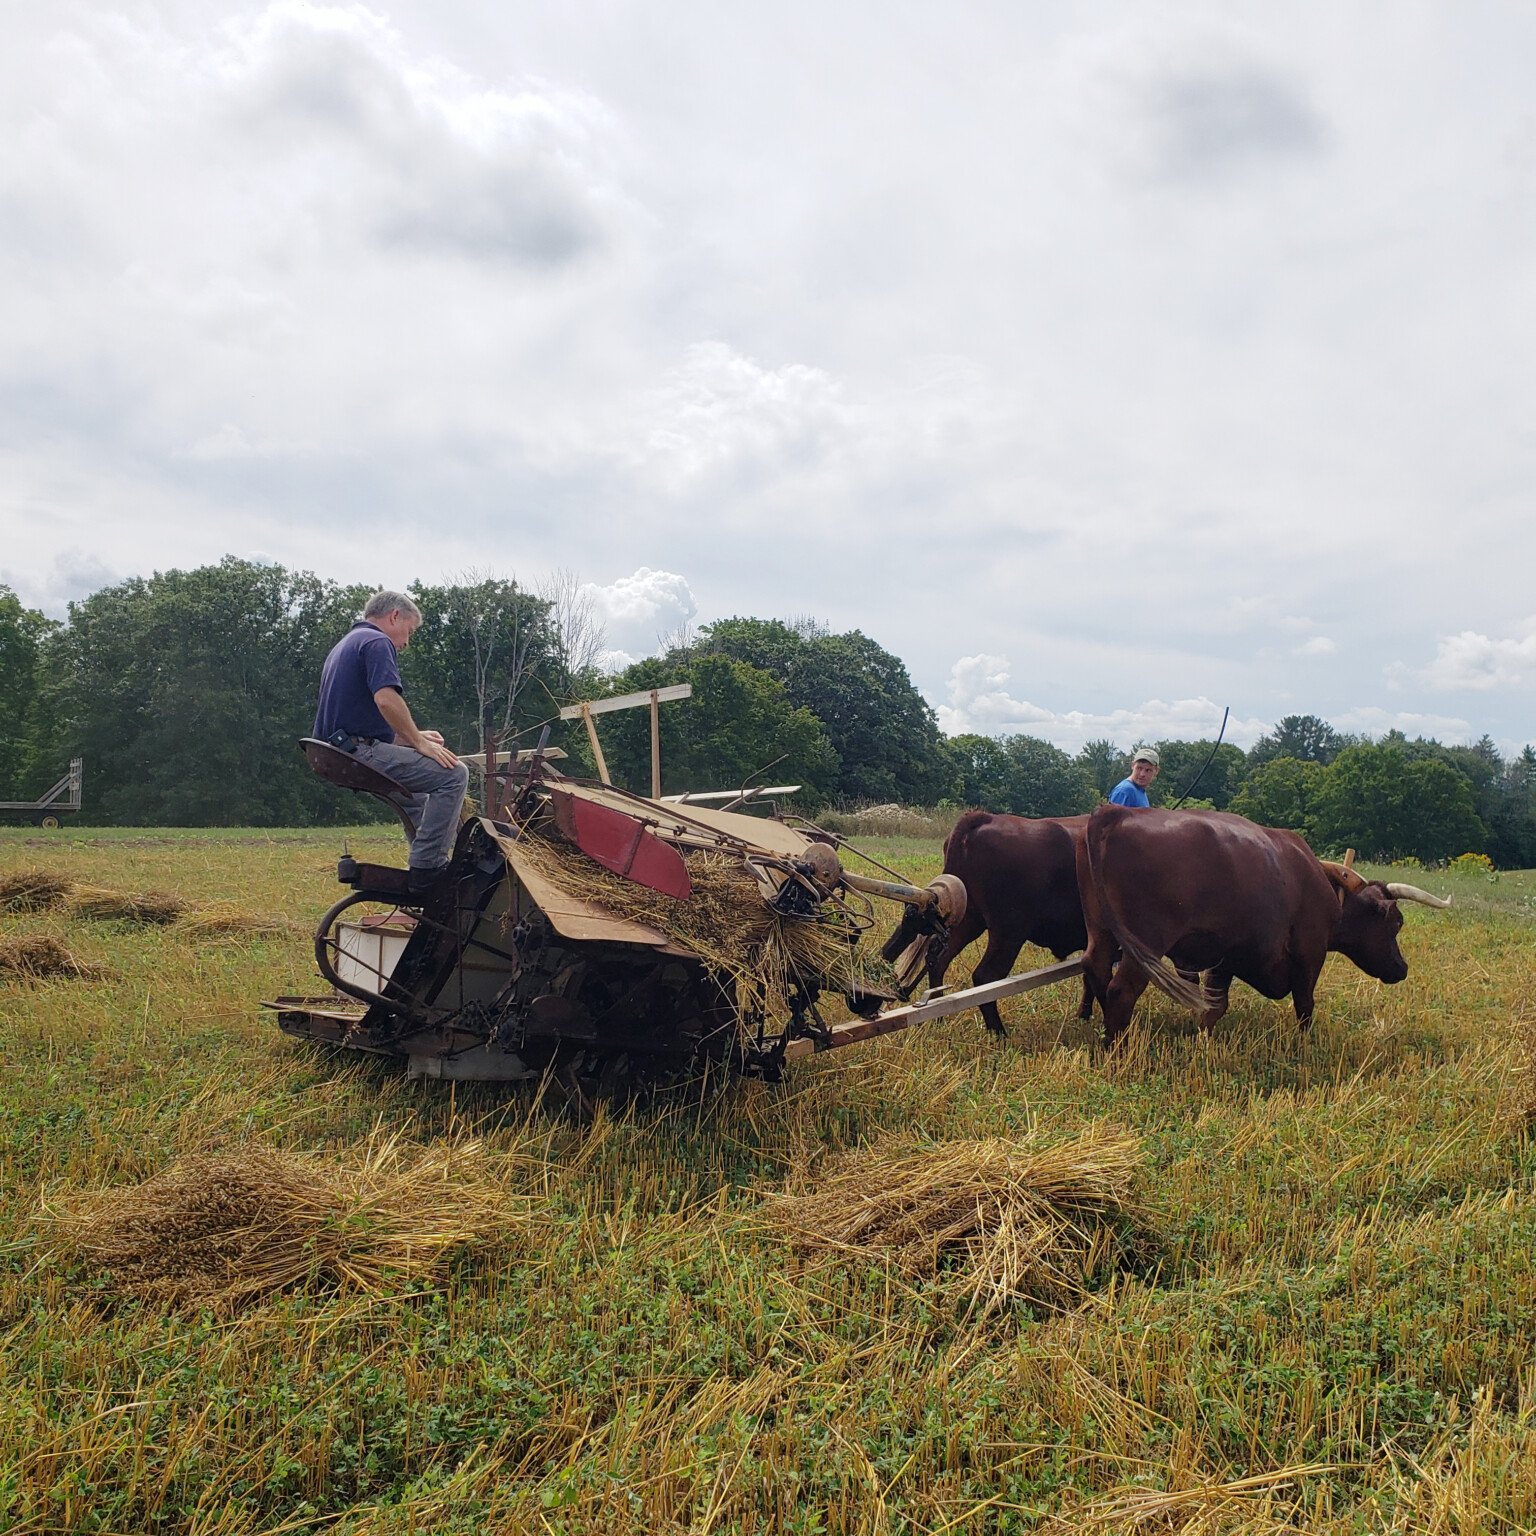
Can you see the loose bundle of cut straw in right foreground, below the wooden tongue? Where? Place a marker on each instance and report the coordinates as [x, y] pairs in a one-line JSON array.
[[1010, 1220]]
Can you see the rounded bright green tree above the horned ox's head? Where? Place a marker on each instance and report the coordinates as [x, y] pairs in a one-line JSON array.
[[1391, 804]]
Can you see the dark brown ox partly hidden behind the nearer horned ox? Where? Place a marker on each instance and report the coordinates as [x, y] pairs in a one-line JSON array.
[[1021, 879]]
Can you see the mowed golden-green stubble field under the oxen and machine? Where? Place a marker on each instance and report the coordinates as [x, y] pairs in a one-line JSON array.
[[1329, 1329]]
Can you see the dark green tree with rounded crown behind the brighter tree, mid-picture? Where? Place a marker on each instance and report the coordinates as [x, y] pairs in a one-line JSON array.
[[886, 735]]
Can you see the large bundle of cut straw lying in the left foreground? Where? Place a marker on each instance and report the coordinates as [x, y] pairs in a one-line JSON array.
[[223, 1230]]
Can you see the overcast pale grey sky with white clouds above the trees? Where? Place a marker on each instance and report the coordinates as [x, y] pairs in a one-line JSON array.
[[1108, 363]]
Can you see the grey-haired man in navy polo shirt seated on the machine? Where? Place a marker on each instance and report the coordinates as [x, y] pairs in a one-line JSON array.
[[363, 710]]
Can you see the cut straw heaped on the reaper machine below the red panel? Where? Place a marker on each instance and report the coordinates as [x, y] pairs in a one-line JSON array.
[[726, 922]]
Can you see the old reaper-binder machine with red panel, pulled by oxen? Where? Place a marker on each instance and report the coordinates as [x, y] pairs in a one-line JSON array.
[[601, 938]]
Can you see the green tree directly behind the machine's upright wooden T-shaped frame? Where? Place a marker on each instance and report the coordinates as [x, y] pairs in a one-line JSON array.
[[738, 726]]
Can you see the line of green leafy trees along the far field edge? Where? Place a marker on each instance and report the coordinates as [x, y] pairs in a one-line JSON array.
[[187, 694]]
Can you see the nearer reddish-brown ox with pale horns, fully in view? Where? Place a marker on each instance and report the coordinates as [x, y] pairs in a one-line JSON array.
[[1216, 893]]
